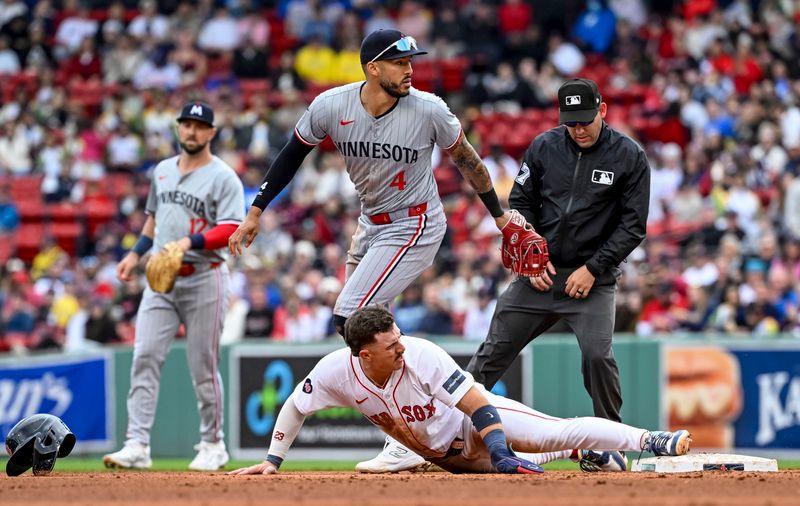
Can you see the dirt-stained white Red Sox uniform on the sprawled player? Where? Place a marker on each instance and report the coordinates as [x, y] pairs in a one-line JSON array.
[[416, 406]]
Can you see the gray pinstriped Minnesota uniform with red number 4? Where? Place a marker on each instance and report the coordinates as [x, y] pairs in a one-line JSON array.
[[388, 159]]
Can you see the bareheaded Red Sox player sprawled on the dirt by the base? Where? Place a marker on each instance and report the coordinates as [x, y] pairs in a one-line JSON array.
[[416, 393]]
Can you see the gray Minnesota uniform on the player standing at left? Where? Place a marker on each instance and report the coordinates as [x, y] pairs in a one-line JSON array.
[[184, 205]]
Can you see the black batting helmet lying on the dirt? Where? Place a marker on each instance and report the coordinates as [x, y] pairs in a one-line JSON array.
[[35, 442]]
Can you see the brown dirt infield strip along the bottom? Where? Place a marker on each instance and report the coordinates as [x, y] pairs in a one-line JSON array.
[[434, 489]]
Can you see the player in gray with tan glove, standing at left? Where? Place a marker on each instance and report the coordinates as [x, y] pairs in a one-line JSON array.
[[198, 200]]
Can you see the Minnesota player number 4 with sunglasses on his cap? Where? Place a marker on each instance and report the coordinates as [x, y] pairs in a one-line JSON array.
[[386, 131]]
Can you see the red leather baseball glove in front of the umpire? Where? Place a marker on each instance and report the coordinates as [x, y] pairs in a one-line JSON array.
[[524, 251]]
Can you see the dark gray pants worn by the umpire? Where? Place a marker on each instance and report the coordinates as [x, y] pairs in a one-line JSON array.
[[523, 313]]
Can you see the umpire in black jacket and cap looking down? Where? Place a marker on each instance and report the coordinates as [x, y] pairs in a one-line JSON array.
[[585, 187]]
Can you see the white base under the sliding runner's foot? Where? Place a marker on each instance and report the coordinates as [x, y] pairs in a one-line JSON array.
[[704, 462]]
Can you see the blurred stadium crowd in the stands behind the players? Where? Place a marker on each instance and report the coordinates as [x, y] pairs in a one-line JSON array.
[[89, 93]]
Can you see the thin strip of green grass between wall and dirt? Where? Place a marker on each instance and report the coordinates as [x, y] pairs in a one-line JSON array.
[[84, 464]]
